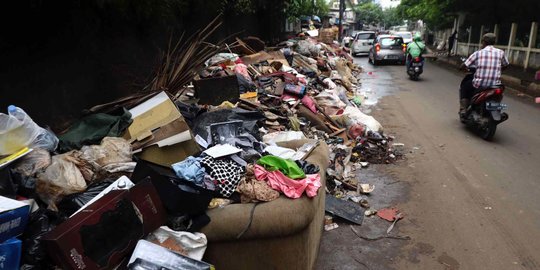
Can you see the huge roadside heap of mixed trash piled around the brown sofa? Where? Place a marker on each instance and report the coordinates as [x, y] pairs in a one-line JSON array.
[[153, 163]]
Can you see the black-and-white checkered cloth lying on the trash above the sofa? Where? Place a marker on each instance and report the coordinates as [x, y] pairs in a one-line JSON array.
[[226, 172]]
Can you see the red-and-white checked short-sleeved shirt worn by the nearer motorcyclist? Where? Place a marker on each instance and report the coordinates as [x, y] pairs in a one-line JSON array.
[[488, 62]]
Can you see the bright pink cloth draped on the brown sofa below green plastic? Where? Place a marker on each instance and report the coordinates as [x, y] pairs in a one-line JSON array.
[[291, 188]]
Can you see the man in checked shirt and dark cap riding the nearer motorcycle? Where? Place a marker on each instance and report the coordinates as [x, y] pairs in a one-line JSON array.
[[489, 62]]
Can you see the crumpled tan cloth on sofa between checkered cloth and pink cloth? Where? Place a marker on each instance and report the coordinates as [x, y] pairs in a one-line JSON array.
[[252, 190]]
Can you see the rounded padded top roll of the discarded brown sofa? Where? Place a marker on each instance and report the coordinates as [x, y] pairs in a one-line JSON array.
[[280, 217]]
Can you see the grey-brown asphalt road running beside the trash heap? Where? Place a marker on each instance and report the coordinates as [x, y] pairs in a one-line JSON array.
[[471, 204]]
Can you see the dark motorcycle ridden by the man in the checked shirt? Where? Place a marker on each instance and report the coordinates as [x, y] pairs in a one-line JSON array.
[[485, 111]]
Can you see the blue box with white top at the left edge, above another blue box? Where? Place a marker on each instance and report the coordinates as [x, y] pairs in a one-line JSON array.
[[13, 218]]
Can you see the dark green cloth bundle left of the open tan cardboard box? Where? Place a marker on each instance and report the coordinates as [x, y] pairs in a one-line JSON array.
[[93, 128]]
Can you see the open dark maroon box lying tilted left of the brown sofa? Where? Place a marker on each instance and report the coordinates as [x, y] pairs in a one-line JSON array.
[[100, 236]]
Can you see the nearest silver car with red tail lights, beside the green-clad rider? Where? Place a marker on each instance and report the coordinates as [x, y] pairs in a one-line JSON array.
[[387, 48]]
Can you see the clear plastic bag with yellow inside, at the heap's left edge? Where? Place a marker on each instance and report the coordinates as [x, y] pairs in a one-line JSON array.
[[18, 130]]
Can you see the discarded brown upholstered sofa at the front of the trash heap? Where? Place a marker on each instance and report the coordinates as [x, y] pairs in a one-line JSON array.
[[284, 233]]
